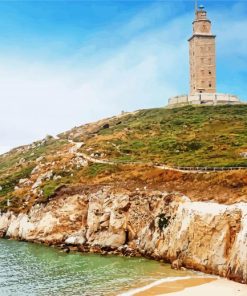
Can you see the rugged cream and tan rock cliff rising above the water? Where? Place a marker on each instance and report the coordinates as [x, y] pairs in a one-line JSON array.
[[203, 236]]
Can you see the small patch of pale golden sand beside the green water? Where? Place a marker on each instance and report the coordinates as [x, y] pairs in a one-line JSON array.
[[193, 287]]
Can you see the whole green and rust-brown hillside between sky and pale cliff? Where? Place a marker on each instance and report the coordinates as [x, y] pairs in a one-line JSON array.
[[133, 143]]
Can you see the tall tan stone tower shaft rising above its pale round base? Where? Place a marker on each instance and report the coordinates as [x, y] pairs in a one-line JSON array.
[[202, 55]]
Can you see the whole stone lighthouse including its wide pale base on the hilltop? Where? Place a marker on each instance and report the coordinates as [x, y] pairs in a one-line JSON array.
[[202, 60]]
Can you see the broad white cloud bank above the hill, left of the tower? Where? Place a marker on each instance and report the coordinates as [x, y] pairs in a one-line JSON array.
[[38, 99]]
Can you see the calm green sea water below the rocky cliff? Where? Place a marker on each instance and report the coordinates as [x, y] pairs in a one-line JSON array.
[[30, 269]]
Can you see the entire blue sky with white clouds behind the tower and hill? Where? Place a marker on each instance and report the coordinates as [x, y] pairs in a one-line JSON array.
[[65, 63]]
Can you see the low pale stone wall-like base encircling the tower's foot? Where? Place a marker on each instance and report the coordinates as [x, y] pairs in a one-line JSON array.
[[206, 99]]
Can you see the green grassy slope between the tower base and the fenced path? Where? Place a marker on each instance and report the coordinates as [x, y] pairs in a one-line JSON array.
[[188, 136]]
